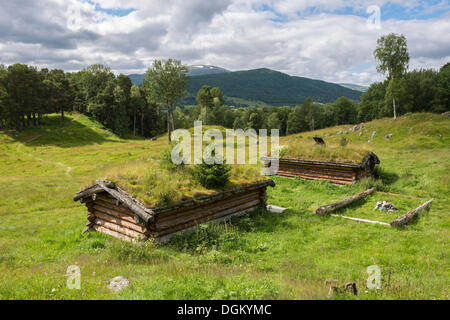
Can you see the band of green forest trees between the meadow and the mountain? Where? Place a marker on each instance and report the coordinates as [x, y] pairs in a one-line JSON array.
[[26, 94]]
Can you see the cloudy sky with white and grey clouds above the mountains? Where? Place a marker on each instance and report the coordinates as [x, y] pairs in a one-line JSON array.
[[318, 39]]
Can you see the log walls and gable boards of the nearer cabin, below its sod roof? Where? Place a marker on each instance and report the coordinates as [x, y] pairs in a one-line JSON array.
[[115, 212]]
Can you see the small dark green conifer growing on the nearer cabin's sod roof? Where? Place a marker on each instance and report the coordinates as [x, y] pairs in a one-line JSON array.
[[212, 176]]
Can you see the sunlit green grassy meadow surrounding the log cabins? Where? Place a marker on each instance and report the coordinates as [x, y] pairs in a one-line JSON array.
[[261, 255]]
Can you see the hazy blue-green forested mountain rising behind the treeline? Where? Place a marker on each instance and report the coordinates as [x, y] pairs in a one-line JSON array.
[[261, 87]]
